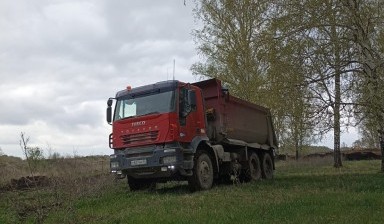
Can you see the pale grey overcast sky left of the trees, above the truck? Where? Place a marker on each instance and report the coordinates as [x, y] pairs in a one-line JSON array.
[[60, 60]]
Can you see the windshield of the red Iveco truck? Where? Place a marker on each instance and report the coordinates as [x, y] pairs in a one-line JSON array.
[[143, 105]]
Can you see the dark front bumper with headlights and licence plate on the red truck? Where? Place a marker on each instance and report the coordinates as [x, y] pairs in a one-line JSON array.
[[151, 162]]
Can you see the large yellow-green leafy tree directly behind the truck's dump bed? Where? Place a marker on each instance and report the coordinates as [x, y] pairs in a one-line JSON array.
[[235, 42]]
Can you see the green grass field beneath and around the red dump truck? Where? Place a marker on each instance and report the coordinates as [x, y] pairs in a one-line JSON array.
[[309, 191]]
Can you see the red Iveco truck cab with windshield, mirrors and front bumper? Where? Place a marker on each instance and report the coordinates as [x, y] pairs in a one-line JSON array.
[[152, 127]]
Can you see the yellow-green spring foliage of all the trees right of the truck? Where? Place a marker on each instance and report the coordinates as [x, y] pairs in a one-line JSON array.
[[312, 62]]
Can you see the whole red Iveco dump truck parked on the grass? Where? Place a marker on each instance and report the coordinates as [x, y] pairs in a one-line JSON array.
[[197, 132]]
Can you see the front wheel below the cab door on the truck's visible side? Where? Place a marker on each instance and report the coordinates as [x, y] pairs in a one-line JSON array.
[[202, 177]]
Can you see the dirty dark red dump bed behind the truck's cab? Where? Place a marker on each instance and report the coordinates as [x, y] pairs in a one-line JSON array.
[[230, 118]]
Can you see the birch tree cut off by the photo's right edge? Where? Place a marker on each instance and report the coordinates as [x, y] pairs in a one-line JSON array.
[[366, 23]]
